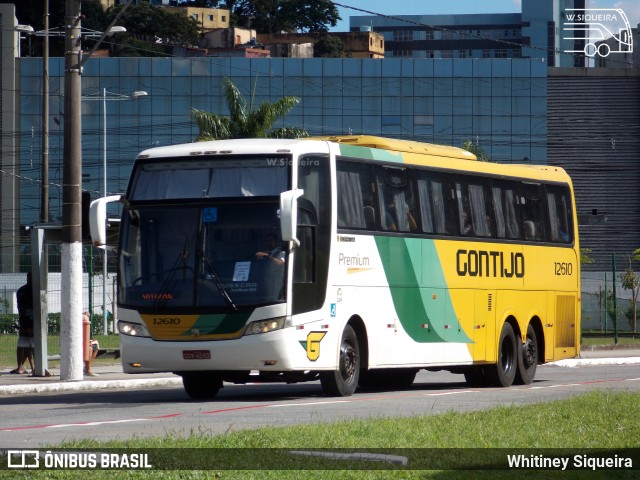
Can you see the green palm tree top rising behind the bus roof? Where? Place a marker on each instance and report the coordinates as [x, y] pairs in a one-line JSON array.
[[245, 122]]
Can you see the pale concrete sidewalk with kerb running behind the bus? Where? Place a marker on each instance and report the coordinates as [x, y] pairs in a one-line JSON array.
[[111, 376]]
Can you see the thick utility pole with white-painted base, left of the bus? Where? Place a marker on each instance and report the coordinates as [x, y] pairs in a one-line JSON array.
[[71, 362]]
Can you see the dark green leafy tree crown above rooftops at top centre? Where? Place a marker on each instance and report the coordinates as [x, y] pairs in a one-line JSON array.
[[274, 16]]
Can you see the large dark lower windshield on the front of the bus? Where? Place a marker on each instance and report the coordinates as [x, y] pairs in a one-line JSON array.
[[225, 256]]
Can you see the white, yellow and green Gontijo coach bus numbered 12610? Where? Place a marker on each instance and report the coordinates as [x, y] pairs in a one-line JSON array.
[[353, 260]]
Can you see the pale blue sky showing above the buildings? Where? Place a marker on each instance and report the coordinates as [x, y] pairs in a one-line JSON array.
[[433, 7]]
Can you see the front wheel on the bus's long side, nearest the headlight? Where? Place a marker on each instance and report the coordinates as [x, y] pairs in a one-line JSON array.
[[343, 382]]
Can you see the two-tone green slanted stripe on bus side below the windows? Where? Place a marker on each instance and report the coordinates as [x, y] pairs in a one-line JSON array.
[[422, 316]]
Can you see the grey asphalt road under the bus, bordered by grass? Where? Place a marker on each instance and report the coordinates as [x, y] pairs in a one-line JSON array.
[[29, 420]]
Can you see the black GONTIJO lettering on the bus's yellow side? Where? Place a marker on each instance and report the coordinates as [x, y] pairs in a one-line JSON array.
[[483, 263]]
